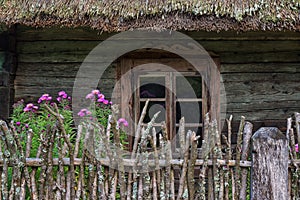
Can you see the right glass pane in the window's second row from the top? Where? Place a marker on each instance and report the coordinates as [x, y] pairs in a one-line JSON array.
[[192, 112]]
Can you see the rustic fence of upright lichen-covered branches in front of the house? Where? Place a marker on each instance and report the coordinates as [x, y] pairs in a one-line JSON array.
[[95, 166]]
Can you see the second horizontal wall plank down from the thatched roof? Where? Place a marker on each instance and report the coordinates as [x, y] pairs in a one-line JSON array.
[[215, 46]]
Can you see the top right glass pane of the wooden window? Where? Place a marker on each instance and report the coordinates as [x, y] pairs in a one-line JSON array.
[[188, 87]]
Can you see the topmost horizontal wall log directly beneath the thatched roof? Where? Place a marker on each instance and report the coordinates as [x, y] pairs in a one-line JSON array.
[[32, 34]]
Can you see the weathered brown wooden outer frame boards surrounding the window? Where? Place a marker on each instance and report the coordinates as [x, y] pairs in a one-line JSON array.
[[210, 89]]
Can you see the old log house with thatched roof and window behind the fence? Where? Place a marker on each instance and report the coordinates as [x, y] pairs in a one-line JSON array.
[[255, 44]]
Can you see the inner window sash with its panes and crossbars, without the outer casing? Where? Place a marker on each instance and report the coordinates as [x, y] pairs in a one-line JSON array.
[[175, 95]]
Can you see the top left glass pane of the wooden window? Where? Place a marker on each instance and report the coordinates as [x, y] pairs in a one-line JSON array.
[[152, 87]]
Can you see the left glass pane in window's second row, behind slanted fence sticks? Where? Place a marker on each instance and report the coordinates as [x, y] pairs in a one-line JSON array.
[[154, 107]]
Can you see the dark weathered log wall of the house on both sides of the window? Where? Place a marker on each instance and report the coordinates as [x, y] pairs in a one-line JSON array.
[[260, 71]]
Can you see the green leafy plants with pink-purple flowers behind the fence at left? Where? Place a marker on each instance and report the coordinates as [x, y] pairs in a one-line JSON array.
[[38, 119]]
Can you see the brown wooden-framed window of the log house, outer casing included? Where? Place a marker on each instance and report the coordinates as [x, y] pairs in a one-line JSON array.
[[172, 86]]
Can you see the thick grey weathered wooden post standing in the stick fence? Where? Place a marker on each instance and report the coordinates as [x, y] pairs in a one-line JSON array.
[[270, 165]]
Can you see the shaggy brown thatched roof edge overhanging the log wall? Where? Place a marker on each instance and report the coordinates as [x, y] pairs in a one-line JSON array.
[[118, 15]]
